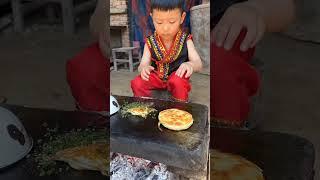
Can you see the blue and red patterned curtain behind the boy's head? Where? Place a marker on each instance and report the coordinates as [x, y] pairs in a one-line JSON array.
[[141, 22]]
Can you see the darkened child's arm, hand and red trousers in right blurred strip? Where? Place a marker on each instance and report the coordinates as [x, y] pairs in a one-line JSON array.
[[237, 27]]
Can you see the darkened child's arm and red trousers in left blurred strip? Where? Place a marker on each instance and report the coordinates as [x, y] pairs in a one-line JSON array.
[[88, 72]]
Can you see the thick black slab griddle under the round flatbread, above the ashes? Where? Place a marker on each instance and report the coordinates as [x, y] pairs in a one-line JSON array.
[[139, 137]]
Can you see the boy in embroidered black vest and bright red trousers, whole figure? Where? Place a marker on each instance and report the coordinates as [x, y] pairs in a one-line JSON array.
[[169, 56]]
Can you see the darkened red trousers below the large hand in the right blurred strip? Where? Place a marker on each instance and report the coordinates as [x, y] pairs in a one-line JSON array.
[[233, 82]]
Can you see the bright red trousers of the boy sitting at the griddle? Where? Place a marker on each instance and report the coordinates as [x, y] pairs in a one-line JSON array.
[[178, 87]]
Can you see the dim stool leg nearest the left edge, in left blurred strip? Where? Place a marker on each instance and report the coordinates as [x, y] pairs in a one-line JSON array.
[[17, 12]]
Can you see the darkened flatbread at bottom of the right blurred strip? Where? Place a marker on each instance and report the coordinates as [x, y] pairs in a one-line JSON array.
[[232, 167]]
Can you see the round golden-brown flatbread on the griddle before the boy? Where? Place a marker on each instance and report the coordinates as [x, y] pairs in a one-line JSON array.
[[175, 119]]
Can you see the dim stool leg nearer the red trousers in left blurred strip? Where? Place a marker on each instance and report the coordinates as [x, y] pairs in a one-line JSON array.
[[68, 16]]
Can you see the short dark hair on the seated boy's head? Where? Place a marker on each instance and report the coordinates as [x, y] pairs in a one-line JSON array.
[[167, 5]]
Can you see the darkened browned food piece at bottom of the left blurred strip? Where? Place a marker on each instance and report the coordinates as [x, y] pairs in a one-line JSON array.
[[91, 157]]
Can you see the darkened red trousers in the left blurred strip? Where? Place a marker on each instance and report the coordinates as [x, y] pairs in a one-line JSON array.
[[88, 78]]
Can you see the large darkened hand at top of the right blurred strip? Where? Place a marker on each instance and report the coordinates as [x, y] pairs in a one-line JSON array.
[[237, 17]]
